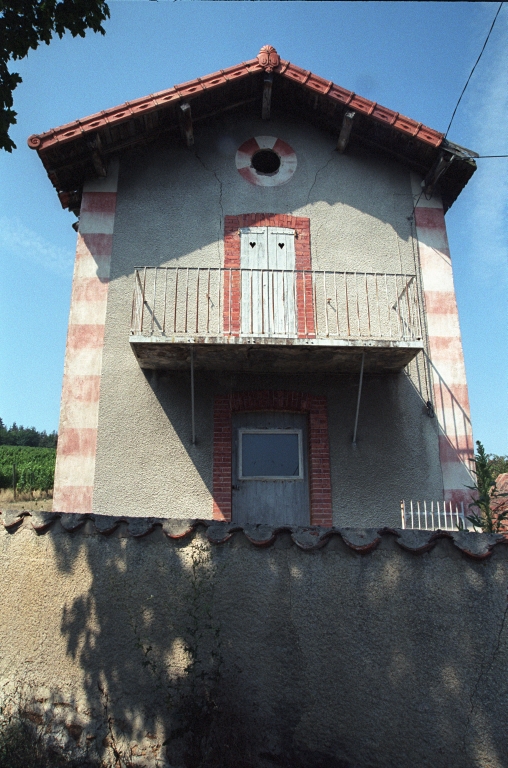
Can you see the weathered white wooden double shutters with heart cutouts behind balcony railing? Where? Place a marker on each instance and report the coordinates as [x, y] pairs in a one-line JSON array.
[[267, 260]]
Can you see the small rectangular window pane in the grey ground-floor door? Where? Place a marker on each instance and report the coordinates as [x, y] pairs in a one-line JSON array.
[[271, 454]]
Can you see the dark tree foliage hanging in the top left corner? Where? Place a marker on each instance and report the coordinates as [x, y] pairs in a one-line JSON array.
[[24, 24]]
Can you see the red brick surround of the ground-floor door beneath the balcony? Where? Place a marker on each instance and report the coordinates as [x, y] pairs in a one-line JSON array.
[[270, 400]]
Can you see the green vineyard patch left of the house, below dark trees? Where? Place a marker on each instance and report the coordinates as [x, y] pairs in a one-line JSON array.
[[35, 467]]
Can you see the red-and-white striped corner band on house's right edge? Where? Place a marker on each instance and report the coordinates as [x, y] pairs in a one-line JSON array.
[[451, 401]]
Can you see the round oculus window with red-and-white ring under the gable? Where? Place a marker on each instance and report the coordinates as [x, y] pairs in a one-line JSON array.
[[266, 161]]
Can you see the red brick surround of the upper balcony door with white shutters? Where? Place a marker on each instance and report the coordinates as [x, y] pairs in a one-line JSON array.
[[232, 280]]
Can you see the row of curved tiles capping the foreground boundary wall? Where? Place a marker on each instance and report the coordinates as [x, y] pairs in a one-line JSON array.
[[310, 538]]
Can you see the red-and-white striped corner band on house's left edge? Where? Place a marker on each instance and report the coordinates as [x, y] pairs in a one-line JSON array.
[[79, 410]]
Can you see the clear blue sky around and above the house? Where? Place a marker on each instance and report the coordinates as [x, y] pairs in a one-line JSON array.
[[411, 57]]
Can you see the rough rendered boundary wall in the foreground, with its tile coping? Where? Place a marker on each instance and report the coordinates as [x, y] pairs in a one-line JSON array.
[[342, 648]]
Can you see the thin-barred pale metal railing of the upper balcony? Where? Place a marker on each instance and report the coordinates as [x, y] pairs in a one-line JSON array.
[[320, 304]]
